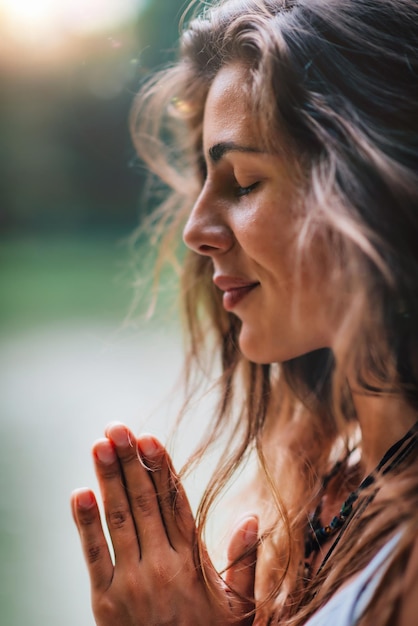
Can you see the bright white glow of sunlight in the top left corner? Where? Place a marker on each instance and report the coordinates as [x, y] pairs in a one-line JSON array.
[[51, 19]]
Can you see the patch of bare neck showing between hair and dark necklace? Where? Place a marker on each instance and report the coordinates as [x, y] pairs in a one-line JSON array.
[[383, 420]]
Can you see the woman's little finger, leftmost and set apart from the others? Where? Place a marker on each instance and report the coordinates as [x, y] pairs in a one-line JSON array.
[[93, 542]]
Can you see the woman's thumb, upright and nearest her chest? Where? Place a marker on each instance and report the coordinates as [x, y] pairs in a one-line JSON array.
[[242, 558]]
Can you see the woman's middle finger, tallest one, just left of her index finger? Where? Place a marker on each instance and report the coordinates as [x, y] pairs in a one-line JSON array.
[[139, 489]]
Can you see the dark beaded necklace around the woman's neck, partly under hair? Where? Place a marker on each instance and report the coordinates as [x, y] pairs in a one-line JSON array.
[[317, 534]]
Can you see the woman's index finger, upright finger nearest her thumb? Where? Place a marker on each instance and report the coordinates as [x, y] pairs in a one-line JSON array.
[[175, 508]]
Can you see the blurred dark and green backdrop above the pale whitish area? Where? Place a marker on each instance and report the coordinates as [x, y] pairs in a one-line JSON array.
[[71, 185]]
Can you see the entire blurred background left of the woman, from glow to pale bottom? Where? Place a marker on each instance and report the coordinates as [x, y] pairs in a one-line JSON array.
[[72, 357]]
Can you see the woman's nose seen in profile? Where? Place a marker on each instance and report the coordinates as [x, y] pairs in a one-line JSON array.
[[206, 232]]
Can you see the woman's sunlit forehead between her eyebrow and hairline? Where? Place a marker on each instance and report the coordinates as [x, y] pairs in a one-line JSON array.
[[227, 115]]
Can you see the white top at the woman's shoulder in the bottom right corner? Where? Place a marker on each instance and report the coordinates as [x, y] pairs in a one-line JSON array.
[[347, 605]]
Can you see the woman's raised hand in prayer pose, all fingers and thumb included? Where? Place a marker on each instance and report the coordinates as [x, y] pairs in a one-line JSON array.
[[156, 578]]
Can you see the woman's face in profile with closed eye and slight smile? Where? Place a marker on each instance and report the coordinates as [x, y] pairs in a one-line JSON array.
[[247, 219]]
